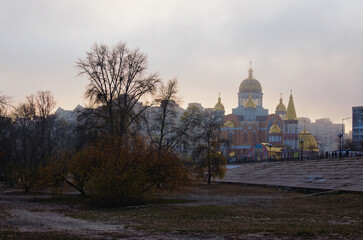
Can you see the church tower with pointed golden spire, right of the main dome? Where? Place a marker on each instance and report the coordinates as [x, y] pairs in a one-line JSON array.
[[291, 136]]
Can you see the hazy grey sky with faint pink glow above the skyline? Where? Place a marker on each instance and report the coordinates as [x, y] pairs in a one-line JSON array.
[[314, 48]]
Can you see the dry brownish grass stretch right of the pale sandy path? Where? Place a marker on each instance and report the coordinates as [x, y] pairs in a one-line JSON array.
[[252, 210]]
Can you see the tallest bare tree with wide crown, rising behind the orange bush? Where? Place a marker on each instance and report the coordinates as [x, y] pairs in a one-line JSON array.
[[117, 82]]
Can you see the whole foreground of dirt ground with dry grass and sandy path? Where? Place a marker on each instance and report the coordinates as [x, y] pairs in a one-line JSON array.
[[219, 211]]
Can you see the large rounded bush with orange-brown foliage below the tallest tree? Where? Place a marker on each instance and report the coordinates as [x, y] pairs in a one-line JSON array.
[[117, 172]]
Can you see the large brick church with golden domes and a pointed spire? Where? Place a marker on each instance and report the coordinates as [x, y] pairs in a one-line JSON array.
[[251, 132]]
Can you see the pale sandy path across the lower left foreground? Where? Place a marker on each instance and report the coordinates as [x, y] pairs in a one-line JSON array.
[[28, 216]]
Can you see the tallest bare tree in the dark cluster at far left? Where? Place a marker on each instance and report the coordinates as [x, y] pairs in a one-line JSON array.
[[35, 136]]
